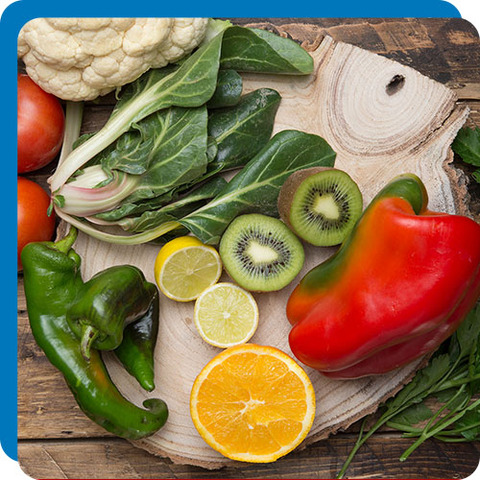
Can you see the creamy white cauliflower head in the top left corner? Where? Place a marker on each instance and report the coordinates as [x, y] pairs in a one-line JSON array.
[[82, 58]]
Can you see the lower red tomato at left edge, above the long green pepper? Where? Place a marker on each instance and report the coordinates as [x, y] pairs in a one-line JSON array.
[[33, 223]]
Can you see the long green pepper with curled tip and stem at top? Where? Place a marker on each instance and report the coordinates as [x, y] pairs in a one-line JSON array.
[[52, 279]]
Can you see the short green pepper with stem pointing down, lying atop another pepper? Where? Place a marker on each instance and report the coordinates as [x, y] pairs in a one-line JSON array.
[[108, 302]]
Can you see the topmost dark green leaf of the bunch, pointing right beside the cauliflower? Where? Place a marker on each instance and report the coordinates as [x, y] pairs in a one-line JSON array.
[[254, 50]]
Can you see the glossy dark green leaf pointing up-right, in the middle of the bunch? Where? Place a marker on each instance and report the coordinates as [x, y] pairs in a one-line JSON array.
[[241, 131]]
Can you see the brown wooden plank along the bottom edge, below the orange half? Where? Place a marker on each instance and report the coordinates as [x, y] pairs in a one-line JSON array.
[[116, 458]]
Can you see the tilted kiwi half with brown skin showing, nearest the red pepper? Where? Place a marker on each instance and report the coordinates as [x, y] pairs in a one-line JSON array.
[[321, 205]]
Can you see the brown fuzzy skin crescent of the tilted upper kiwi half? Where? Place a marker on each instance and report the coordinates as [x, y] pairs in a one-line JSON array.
[[287, 194]]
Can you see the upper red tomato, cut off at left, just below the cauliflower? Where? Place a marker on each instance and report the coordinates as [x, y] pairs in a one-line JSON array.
[[41, 122]]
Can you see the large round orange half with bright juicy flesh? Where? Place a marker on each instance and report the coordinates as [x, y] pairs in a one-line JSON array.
[[253, 403]]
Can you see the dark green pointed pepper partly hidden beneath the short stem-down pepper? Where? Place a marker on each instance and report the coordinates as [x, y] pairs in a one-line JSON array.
[[136, 352]]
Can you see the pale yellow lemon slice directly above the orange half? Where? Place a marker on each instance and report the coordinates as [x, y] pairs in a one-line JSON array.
[[226, 315]]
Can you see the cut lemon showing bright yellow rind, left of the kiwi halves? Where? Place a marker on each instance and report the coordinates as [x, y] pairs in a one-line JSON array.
[[185, 267]]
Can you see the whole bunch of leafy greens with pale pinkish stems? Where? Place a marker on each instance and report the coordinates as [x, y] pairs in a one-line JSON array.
[[164, 138]]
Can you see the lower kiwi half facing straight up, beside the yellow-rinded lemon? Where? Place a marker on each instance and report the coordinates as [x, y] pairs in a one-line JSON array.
[[261, 253]]
